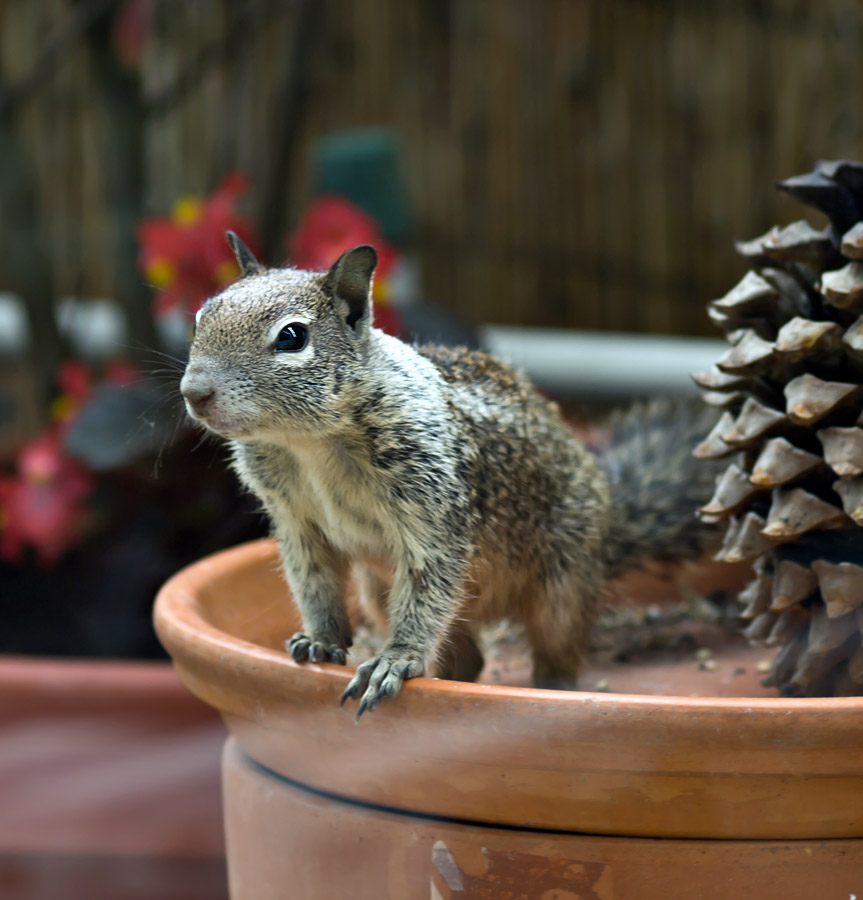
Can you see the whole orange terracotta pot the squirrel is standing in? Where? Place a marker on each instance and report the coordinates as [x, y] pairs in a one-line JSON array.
[[474, 790]]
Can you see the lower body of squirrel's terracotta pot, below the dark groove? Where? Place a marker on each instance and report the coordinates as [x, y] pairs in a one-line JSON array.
[[285, 840]]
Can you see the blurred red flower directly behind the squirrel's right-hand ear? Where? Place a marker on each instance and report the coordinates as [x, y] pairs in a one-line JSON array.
[[331, 225]]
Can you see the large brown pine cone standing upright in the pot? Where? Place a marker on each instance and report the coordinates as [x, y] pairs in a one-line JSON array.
[[791, 385]]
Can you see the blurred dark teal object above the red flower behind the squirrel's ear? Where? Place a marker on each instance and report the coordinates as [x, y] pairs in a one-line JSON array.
[[365, 166]]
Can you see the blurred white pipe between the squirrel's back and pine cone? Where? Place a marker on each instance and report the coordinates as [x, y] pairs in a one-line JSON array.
[[601, 364]]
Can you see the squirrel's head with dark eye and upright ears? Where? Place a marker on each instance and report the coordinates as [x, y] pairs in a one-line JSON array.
[[278, 352]]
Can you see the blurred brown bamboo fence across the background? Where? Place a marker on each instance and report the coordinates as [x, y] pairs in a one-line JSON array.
[[578, 163]]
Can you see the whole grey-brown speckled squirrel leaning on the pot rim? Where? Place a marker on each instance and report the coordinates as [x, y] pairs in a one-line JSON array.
[[450, 489]]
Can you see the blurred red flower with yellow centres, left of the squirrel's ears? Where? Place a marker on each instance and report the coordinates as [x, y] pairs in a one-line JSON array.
[[185, 256]]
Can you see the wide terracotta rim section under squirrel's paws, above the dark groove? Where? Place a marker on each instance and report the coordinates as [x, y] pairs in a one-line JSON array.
[[724, 767]]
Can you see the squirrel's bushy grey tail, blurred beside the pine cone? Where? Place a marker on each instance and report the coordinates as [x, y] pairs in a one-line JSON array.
[[656, 484]]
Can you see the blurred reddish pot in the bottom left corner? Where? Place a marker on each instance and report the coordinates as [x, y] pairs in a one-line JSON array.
[[109, 776]]
